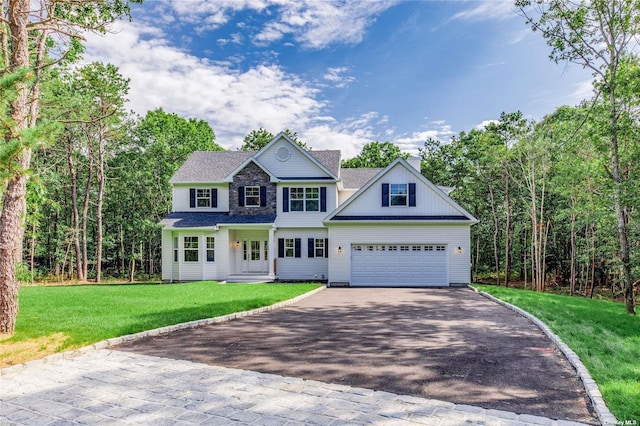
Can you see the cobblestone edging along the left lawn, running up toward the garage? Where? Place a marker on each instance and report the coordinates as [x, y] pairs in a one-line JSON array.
[[104, 344]]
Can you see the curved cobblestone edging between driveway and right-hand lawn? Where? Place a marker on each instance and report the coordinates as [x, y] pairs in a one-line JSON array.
[[603, 413]]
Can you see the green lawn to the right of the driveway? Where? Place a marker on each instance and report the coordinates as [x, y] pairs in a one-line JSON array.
[[600, 332]]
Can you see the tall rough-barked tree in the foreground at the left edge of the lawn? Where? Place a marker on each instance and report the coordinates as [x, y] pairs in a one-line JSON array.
[[29, 30]]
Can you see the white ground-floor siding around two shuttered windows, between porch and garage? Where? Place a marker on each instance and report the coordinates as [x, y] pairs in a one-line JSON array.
[[302, 268]]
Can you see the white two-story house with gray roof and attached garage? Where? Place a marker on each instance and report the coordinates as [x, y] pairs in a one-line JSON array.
[[284, 213]]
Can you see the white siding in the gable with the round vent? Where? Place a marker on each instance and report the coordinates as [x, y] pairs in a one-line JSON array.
[[296, 166]]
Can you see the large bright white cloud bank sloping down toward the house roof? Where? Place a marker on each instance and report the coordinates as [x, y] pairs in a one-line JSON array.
[[233, 102]]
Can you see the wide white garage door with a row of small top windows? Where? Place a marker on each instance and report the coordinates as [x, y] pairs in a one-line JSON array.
[[399, 265]]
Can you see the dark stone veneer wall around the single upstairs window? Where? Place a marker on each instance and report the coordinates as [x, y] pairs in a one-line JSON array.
[[252, 175]]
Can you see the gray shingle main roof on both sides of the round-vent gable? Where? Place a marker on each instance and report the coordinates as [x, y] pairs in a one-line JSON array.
[[214, 166]]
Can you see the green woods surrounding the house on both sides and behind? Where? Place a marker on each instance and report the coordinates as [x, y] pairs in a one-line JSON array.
[[557, 200]]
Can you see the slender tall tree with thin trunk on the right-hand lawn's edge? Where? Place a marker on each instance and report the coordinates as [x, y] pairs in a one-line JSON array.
[[598, 35]]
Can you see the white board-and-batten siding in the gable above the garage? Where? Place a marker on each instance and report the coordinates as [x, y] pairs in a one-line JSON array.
[[428, 201]]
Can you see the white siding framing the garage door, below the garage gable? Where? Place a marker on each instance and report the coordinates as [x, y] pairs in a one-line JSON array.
[[453, 236]]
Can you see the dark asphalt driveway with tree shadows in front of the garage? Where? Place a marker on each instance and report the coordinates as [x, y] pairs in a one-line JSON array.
[[446, 344]]
